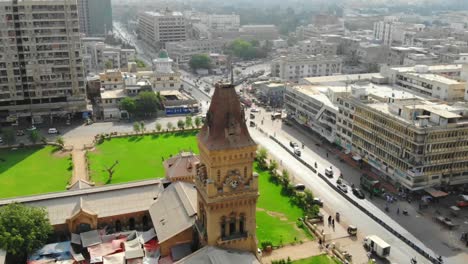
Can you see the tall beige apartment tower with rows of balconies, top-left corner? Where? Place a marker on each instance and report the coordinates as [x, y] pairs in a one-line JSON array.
[[41, 66]]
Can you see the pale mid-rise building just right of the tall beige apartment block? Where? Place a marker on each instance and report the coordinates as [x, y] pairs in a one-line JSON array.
[[99, 56]]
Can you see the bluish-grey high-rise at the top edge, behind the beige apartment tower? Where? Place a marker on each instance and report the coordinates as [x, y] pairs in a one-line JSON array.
[[95, 17]]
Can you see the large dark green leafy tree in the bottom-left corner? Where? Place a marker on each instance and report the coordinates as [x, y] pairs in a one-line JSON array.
[[23, 230]]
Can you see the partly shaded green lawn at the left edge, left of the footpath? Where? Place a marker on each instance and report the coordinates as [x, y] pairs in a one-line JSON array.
[[28, 171]]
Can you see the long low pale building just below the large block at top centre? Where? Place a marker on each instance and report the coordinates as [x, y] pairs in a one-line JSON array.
[[183, 51]]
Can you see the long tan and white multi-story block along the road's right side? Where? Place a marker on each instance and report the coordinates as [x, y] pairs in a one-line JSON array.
[[407, 138]]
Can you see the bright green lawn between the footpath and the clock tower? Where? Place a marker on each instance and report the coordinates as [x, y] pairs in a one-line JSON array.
[[139, 157]]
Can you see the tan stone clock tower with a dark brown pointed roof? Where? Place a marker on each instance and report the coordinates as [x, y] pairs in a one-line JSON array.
[[227, 188]]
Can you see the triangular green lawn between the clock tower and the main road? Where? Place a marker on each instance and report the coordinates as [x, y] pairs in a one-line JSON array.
[[276, 216]]
